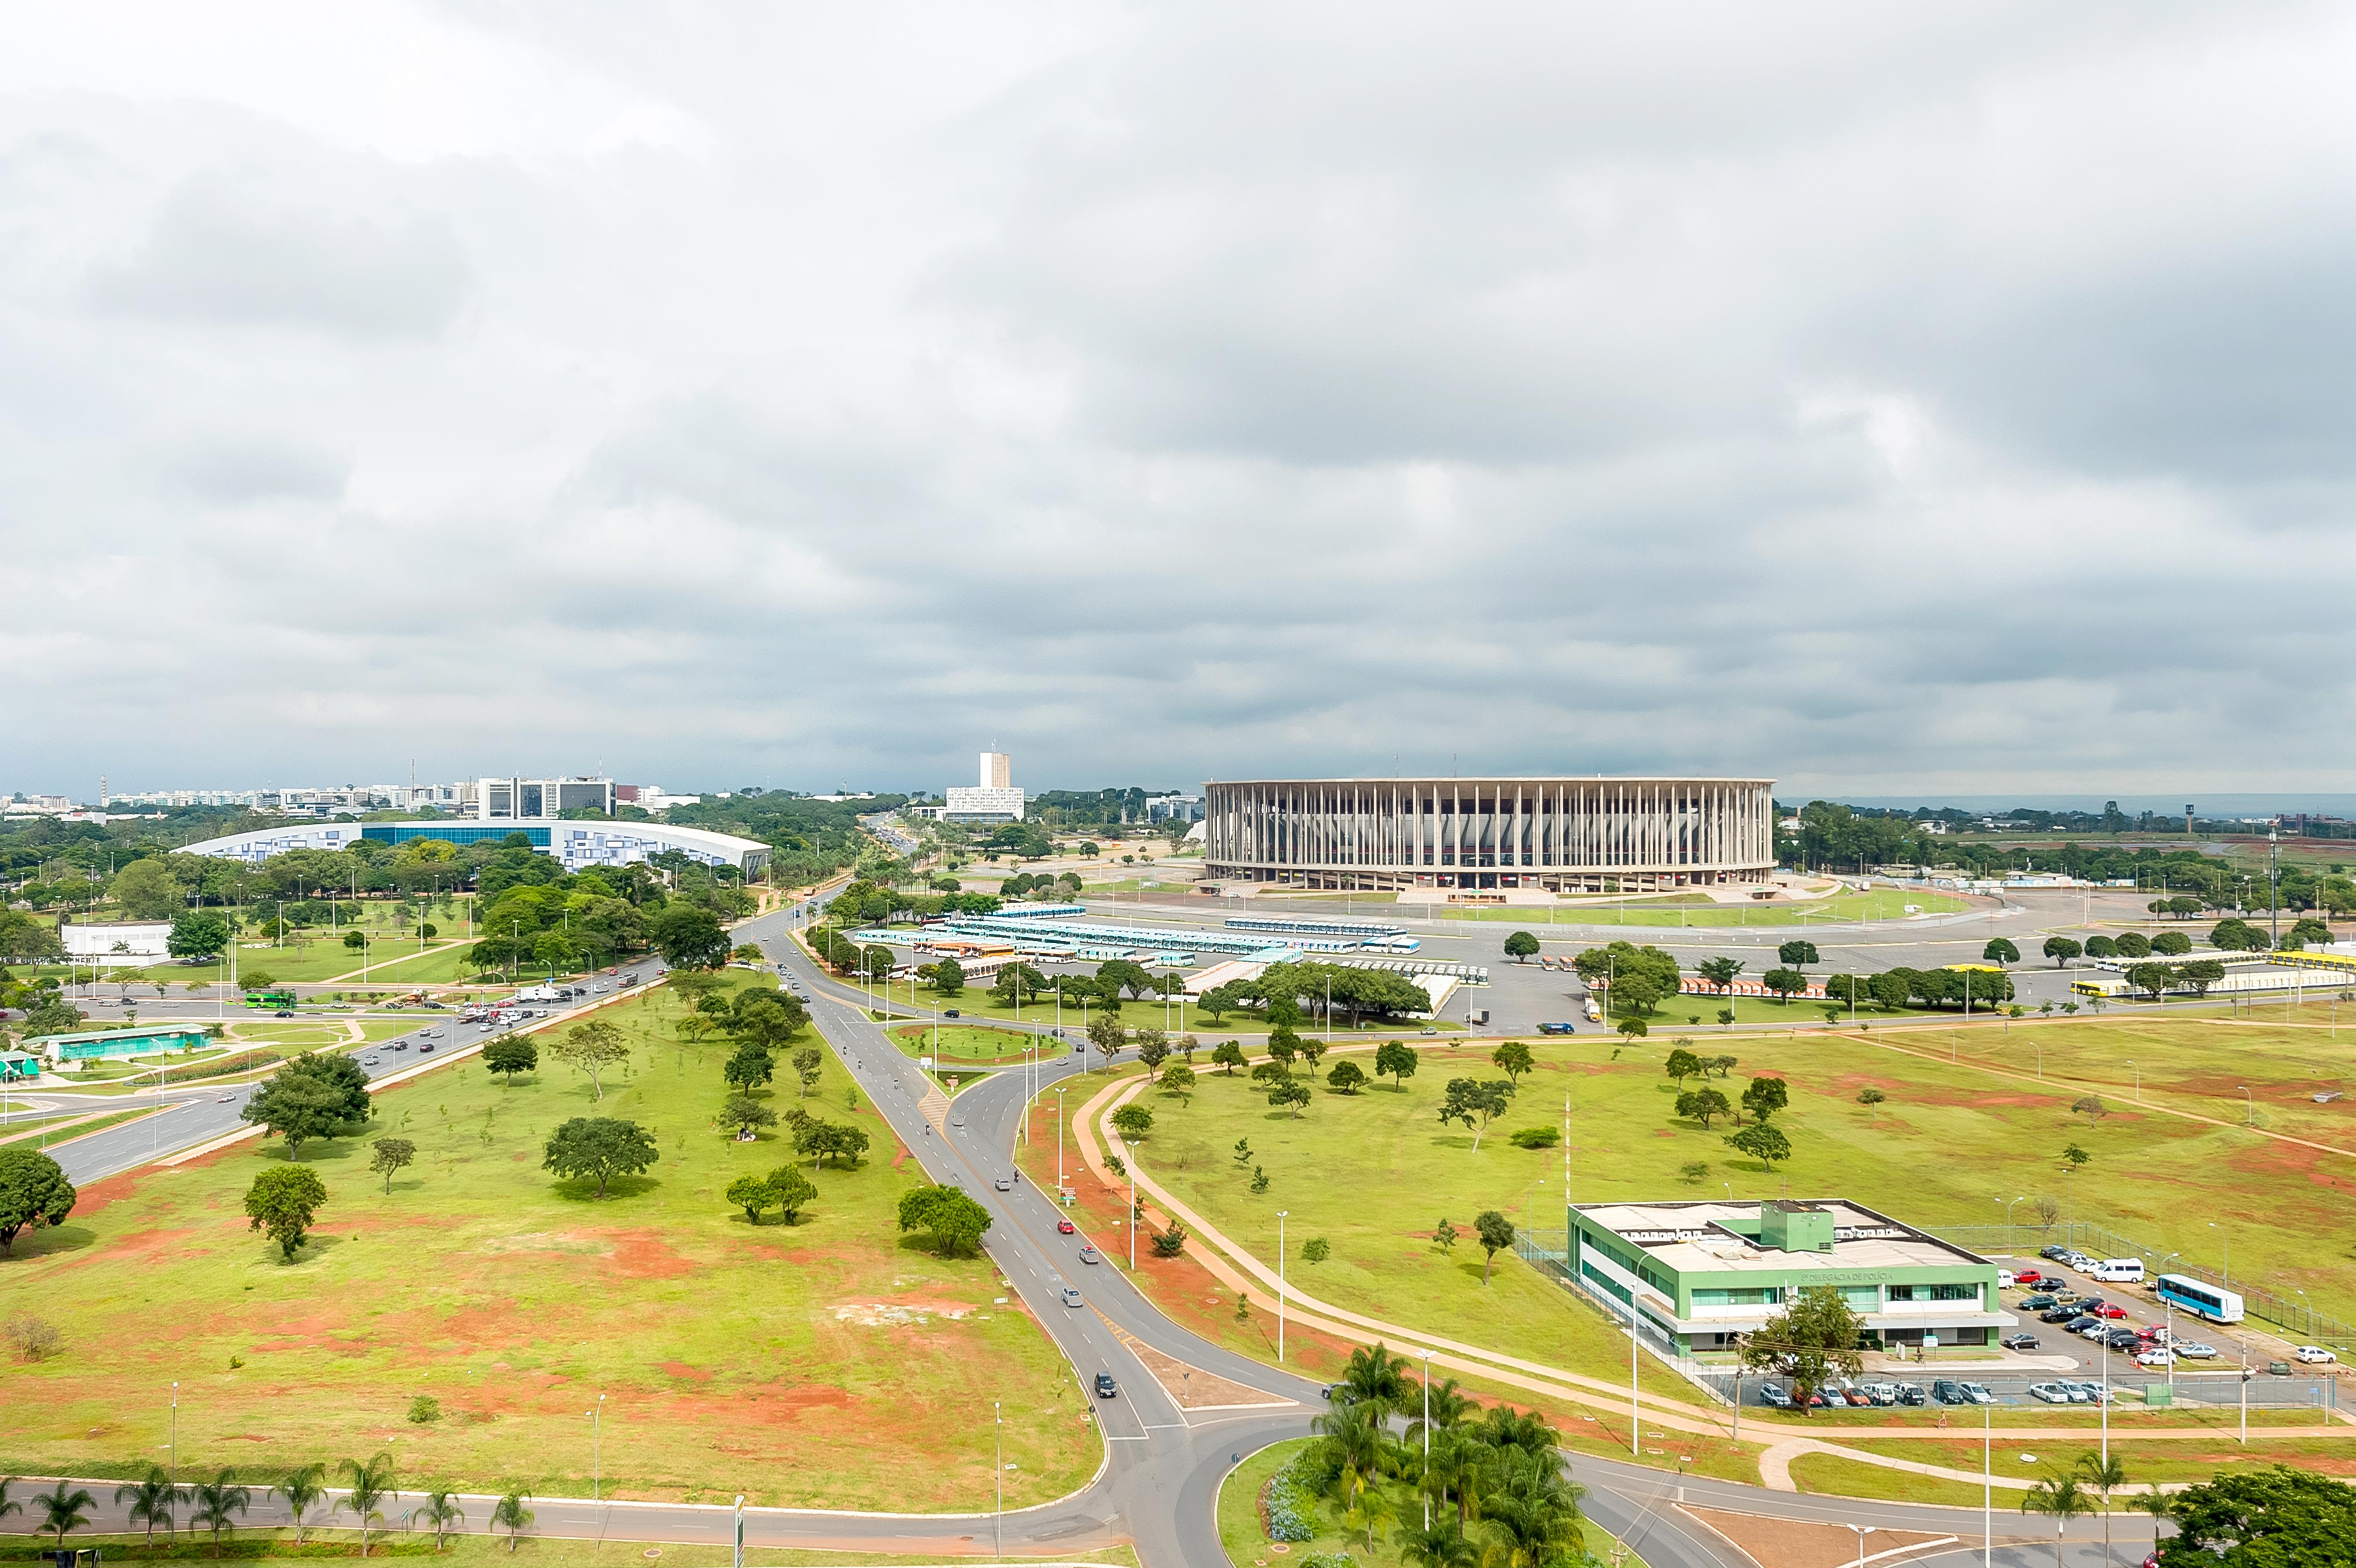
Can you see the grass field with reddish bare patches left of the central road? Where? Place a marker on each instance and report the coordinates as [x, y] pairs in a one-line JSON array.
[[776, 1362]]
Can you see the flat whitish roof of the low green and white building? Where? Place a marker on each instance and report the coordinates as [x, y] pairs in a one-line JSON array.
[[1716, 1237]]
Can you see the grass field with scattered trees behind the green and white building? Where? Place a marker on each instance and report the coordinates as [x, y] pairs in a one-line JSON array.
[[1947, 1148]]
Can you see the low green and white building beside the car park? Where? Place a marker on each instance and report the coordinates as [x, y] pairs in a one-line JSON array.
[[1705, 1273]]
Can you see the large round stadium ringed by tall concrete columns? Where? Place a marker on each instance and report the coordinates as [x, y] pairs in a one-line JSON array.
[[1493, 835]]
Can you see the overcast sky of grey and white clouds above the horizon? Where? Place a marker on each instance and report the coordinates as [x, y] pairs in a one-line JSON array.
[[1881, 399]]
